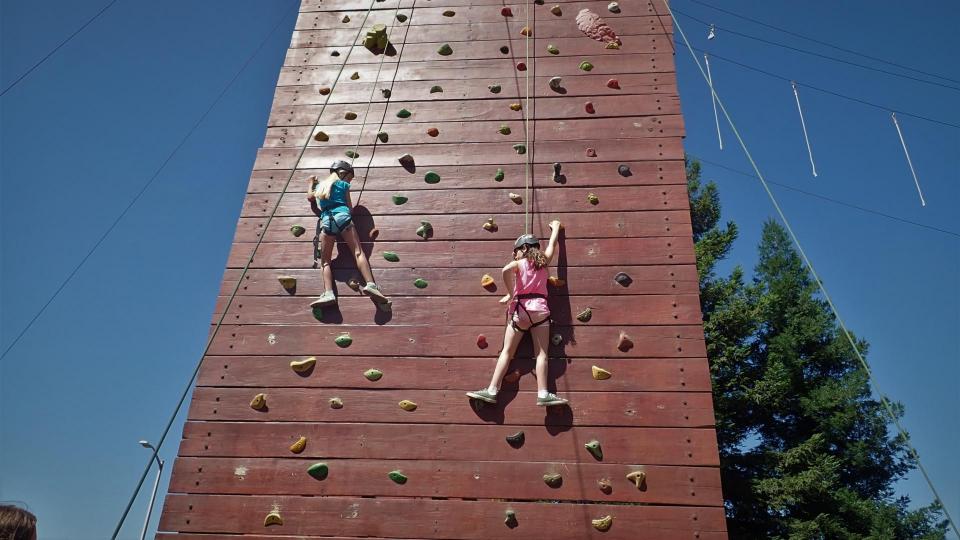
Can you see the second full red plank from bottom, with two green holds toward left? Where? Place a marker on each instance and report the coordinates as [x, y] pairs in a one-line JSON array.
[[696, 486]]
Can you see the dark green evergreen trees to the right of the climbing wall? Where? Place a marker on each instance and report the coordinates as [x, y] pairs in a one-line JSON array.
[[805, 450]]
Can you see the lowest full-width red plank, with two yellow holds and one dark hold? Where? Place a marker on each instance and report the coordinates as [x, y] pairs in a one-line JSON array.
[[480, 520]]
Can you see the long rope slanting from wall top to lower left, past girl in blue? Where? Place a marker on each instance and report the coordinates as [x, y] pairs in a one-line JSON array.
[[236, 288]]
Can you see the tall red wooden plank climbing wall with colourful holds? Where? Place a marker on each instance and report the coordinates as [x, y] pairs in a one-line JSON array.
[[352, 422]]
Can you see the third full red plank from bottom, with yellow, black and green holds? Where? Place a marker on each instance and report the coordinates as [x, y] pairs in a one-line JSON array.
[[450, 442]]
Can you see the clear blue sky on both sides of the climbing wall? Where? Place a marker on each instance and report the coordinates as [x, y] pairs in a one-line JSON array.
[[105, 364]]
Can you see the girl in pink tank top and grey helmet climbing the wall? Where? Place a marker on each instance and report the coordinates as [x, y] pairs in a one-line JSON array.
[[527, 313]]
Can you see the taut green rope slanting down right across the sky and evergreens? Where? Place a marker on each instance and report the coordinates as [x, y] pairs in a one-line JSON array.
[[853, 345]]
